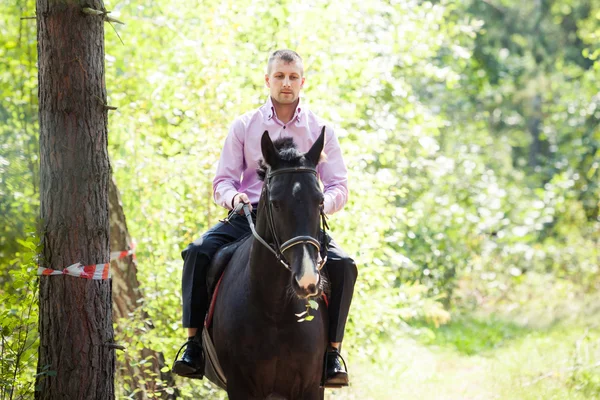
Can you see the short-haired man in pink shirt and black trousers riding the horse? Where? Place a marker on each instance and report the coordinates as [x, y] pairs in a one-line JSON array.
[[236, 181]]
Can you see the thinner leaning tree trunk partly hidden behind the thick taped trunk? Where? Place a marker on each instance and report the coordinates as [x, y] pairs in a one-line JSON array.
[[128, 302]]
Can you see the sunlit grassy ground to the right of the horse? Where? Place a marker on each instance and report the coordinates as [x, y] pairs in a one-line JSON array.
[[537, 344]]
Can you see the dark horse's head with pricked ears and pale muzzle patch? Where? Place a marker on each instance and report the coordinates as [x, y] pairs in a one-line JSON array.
[[291, 204]]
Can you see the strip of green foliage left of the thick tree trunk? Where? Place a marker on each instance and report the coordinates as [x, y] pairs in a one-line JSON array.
[[18, 201]]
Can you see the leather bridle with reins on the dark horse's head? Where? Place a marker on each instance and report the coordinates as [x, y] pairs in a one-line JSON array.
[[278, 249]]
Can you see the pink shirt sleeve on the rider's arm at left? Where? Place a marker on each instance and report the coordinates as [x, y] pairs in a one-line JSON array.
[[230, 168]]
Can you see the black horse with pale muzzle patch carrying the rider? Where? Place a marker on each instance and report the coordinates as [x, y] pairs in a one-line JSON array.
[[264, 352]]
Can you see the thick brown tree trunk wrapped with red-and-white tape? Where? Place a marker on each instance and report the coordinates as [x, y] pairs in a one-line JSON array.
[[75, 360]]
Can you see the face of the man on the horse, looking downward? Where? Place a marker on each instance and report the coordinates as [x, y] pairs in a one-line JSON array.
[[285, 81]]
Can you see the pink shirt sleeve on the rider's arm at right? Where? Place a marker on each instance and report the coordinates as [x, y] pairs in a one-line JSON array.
[[333, 174]]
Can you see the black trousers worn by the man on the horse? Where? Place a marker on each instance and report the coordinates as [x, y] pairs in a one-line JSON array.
[[340, 269]]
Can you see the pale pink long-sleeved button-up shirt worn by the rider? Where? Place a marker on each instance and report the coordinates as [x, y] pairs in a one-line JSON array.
[[236, 172]]
